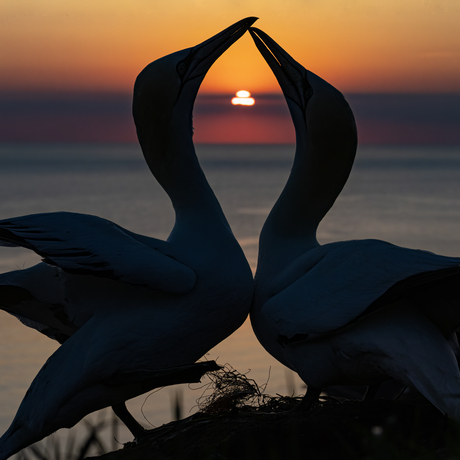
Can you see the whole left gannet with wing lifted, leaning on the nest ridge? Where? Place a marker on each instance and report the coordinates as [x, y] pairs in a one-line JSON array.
[[132, 312]]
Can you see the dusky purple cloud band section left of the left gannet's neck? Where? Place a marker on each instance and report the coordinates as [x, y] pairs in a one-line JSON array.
[[66, 117]]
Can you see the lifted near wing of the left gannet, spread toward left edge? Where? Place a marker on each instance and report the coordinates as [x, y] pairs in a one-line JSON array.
[[89, 245]]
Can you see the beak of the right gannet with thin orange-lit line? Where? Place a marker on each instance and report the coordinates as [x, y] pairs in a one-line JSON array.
[[291, 76]]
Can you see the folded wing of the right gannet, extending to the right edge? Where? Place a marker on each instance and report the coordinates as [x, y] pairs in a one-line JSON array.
[[336, 283]]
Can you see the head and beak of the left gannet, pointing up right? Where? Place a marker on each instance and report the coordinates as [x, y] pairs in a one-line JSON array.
[[165, 90]]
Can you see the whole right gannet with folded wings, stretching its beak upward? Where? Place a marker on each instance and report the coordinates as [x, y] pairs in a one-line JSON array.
[[349, 312]]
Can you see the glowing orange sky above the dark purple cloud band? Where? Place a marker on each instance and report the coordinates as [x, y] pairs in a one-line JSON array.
[[360, 47]]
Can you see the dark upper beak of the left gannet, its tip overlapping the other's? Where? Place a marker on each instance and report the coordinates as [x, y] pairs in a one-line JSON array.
[[203, 56]]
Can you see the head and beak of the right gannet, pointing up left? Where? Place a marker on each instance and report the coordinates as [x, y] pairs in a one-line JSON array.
[[319, 111]]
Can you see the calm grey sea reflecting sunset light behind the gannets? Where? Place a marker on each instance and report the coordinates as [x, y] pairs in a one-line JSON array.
[[408, 195]]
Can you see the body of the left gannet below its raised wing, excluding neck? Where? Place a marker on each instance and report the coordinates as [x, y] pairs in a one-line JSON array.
[[117, 329]]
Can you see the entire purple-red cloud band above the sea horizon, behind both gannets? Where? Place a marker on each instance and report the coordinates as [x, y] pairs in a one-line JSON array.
[[106, 117]]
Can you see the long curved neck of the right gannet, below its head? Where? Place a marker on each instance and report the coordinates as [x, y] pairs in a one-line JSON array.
[[318, 174]]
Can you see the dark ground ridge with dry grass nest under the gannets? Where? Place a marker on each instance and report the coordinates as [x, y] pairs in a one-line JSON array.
[[239, 422]]
